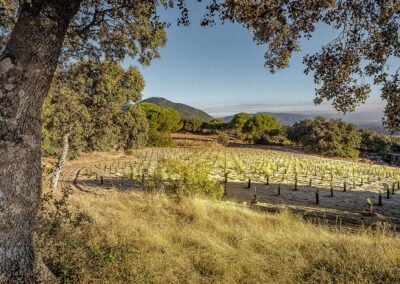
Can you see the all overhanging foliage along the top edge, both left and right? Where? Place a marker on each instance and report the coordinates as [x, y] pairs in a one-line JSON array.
[[367, 39]]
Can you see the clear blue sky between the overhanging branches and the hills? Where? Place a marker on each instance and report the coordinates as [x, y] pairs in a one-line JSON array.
[[221, 70]]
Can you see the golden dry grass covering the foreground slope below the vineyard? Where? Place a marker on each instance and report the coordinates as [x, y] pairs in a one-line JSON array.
[[154, 238]]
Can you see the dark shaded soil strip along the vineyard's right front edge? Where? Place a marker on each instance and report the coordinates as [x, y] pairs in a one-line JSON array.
[[348, 207]]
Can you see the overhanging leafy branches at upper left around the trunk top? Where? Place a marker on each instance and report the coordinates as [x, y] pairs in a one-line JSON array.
[[101, 29]]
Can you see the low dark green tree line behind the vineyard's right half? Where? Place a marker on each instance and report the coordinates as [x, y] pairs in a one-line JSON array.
[[333, 138]]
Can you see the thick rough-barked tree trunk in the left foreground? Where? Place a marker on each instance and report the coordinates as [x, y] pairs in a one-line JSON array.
[[27, 65]]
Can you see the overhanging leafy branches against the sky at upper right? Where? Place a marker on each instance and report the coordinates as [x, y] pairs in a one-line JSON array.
[[366, 42]]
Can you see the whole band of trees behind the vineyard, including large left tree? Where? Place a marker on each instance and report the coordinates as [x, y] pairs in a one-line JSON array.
[[95, 107]]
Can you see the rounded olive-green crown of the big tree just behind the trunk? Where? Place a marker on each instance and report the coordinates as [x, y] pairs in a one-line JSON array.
[[88, 101]]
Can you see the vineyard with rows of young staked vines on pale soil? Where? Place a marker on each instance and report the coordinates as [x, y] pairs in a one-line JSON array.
[[360, 190]]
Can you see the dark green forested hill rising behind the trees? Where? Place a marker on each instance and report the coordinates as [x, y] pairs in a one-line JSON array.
[[183, 110]]
